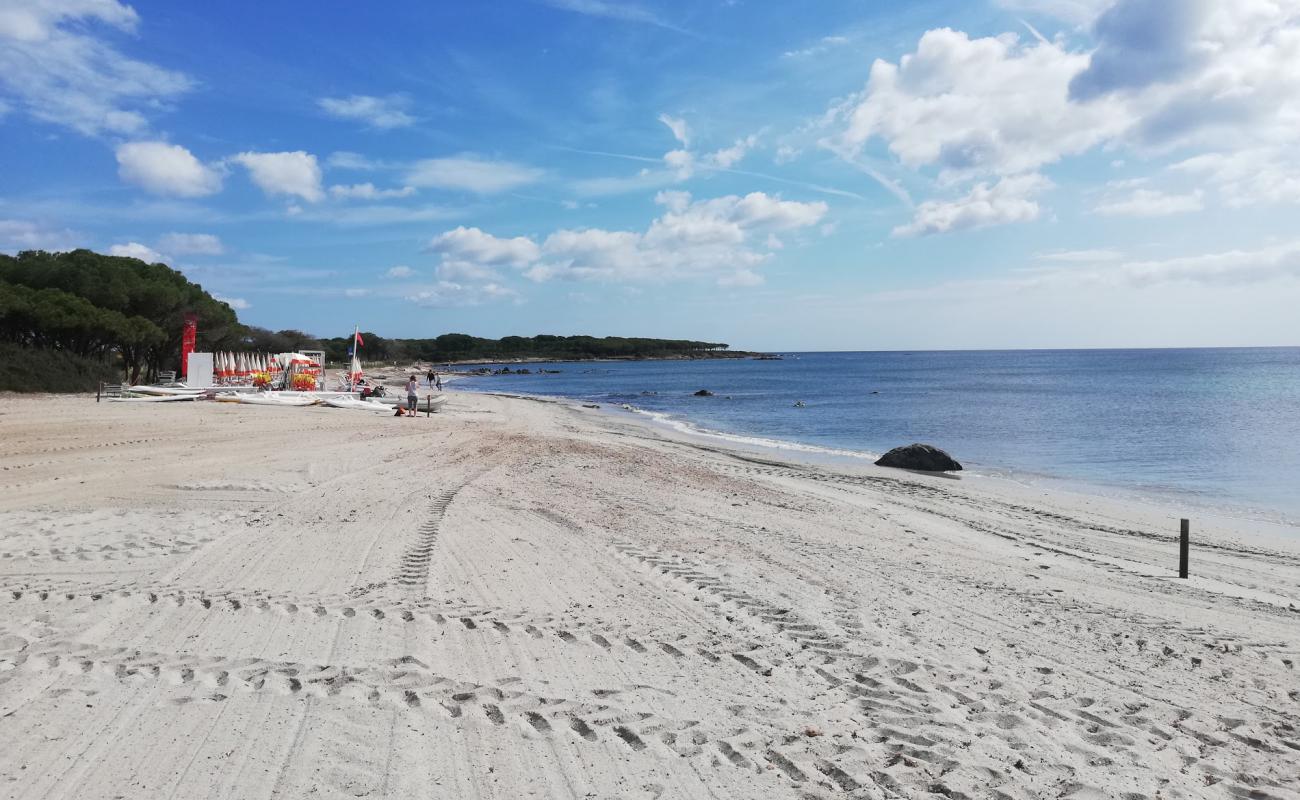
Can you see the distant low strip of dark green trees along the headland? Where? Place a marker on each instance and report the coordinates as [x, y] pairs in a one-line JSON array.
[[463, 348]]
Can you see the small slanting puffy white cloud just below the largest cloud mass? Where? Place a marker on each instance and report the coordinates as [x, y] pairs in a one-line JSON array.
[[1008, 201]]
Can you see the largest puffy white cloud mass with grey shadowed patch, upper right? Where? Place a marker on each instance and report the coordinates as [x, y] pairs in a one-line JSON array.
[[1223, 77]]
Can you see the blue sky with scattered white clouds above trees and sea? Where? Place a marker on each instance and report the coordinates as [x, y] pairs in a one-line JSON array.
[[853, 175]]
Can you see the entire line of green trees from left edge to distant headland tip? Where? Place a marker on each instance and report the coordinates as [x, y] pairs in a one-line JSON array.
[[70, 321]]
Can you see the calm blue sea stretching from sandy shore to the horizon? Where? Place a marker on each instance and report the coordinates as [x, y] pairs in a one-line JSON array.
[[1208, 427]]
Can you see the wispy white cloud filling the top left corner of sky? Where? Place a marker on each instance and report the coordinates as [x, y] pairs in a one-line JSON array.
[[59, 73]]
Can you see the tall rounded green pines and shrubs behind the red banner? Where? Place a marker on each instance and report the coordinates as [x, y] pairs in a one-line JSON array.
[[81, 309]]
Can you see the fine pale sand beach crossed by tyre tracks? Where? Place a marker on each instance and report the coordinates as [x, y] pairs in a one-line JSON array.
[[518, 599]]
